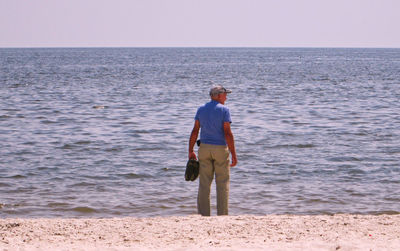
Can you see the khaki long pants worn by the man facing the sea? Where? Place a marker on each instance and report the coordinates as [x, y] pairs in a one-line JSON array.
[[213, 159]]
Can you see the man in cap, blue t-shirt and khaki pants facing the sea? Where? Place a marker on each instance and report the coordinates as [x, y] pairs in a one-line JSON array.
[[214, 119]]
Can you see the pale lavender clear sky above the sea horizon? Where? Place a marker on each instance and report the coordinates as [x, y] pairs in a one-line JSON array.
[[200, 23]]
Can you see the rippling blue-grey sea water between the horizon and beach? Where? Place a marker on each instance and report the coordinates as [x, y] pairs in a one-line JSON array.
[[103, 132]]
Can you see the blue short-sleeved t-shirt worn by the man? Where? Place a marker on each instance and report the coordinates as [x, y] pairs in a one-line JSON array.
[[212, 116]]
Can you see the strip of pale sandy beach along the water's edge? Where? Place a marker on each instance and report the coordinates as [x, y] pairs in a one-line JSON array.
[[272, 232]]
